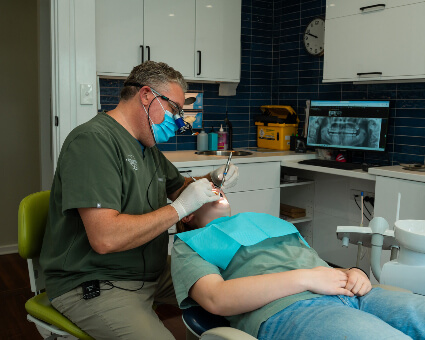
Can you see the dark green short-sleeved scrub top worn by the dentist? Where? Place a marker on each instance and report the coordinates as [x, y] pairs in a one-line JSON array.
[[102, 166]]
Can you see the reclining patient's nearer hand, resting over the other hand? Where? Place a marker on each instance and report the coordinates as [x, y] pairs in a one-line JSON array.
[[328, 281]]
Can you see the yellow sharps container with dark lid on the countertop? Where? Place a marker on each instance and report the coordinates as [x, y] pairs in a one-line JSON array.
[[276, 126]]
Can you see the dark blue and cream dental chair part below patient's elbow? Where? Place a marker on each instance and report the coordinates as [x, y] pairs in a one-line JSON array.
[[206, 326]]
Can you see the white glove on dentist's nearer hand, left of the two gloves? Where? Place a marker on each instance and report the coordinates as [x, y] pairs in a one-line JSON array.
[[193, 197]]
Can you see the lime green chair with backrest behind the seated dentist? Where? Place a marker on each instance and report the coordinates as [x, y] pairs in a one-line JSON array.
[[32, 217]]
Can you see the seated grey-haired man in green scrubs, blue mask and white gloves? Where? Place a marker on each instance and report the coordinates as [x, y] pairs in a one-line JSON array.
[[105, 248]]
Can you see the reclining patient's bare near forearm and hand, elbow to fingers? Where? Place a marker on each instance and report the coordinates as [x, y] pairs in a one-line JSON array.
[[246, 294]]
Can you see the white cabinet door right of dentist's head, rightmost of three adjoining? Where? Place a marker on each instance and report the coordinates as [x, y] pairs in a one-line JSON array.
[[218, 40]]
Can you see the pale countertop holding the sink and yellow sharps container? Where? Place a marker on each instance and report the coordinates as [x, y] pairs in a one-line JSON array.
[[189, 158]]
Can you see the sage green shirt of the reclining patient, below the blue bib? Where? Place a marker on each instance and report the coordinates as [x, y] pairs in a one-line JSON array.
[[279, 254]]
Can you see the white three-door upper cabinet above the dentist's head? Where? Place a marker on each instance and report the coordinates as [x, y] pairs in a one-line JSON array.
[[199, 38]]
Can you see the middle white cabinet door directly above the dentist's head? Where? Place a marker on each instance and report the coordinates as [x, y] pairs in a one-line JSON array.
[[169, 33]]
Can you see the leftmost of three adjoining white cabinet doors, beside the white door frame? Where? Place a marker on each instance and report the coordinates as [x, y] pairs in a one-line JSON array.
[[119, 36]]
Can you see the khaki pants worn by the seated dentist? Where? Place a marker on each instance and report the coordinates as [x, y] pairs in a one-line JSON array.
[[120, 314]]
